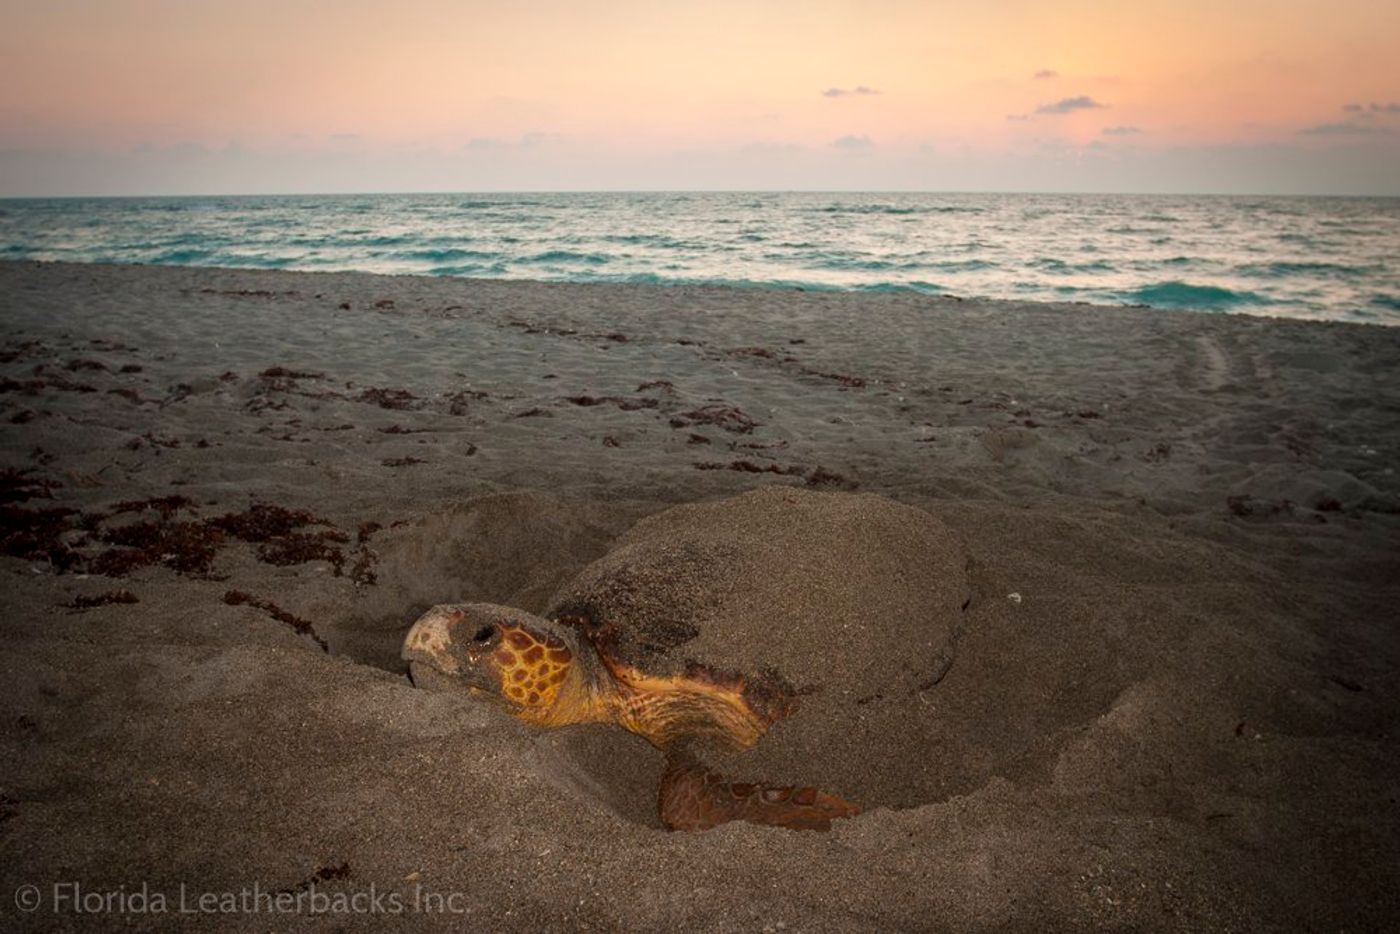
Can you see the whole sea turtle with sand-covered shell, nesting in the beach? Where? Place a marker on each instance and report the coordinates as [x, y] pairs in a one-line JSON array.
[[709, 624]]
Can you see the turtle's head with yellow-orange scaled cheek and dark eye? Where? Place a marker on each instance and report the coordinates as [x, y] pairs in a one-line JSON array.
[[528, 664]]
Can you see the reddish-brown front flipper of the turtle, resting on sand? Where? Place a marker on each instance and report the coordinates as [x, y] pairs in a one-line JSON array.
[[694, 797]]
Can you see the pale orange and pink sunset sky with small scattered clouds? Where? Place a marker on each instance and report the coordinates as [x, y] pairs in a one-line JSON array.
[[187, 97]]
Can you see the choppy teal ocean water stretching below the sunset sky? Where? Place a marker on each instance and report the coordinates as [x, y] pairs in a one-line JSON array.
[[1322, 258]]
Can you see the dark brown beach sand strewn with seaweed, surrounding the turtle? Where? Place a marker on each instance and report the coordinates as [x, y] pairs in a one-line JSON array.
[[1171, 704]]
